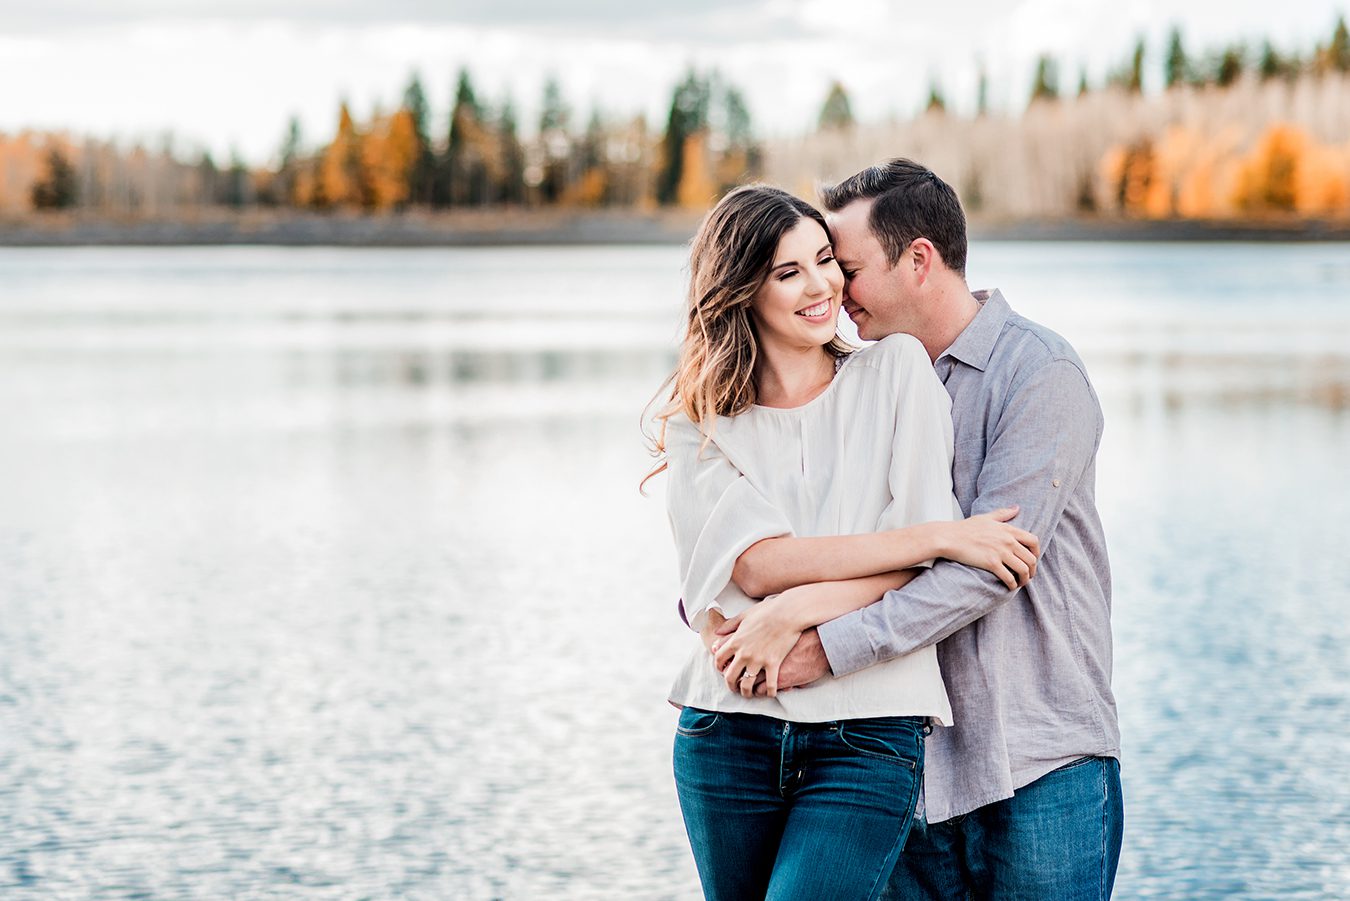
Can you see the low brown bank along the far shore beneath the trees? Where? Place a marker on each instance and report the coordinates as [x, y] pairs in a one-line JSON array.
[[539, 228]]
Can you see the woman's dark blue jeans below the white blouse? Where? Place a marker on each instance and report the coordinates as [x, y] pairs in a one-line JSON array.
[[797, 810]]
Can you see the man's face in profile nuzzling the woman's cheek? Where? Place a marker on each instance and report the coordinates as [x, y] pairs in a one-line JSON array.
[[878, 297]]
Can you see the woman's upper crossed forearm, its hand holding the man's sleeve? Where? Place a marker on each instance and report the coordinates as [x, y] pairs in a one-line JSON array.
[[986, 542]]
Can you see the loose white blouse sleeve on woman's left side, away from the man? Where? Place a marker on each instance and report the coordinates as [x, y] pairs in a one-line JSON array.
[[716, 515]]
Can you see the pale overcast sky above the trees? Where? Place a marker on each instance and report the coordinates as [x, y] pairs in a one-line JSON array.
[[229, 76]]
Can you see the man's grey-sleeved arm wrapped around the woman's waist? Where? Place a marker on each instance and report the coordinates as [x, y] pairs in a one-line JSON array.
[[1043, 445]]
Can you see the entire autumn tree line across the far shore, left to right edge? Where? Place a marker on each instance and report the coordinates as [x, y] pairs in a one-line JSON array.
[[1236, 132]]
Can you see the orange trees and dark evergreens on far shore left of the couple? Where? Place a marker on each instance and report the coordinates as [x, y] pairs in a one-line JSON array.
[[395, 163]]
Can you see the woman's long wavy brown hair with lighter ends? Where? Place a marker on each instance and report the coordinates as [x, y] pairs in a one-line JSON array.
[[730, 260]]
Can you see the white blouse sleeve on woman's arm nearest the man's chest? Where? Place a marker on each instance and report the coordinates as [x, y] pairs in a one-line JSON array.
[[921, 461]]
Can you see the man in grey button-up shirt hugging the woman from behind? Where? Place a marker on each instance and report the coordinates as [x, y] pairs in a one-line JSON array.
[[1023, 796]]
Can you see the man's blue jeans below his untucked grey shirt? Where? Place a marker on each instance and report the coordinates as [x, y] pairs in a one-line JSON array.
[[1056, 840]]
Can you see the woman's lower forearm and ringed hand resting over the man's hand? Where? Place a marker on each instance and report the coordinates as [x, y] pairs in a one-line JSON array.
[[761, 638]]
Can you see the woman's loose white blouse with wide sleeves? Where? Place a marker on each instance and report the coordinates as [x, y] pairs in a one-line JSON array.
[[873, 452]]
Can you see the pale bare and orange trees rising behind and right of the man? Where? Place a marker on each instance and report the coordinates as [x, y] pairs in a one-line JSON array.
[[1233, 134]]
